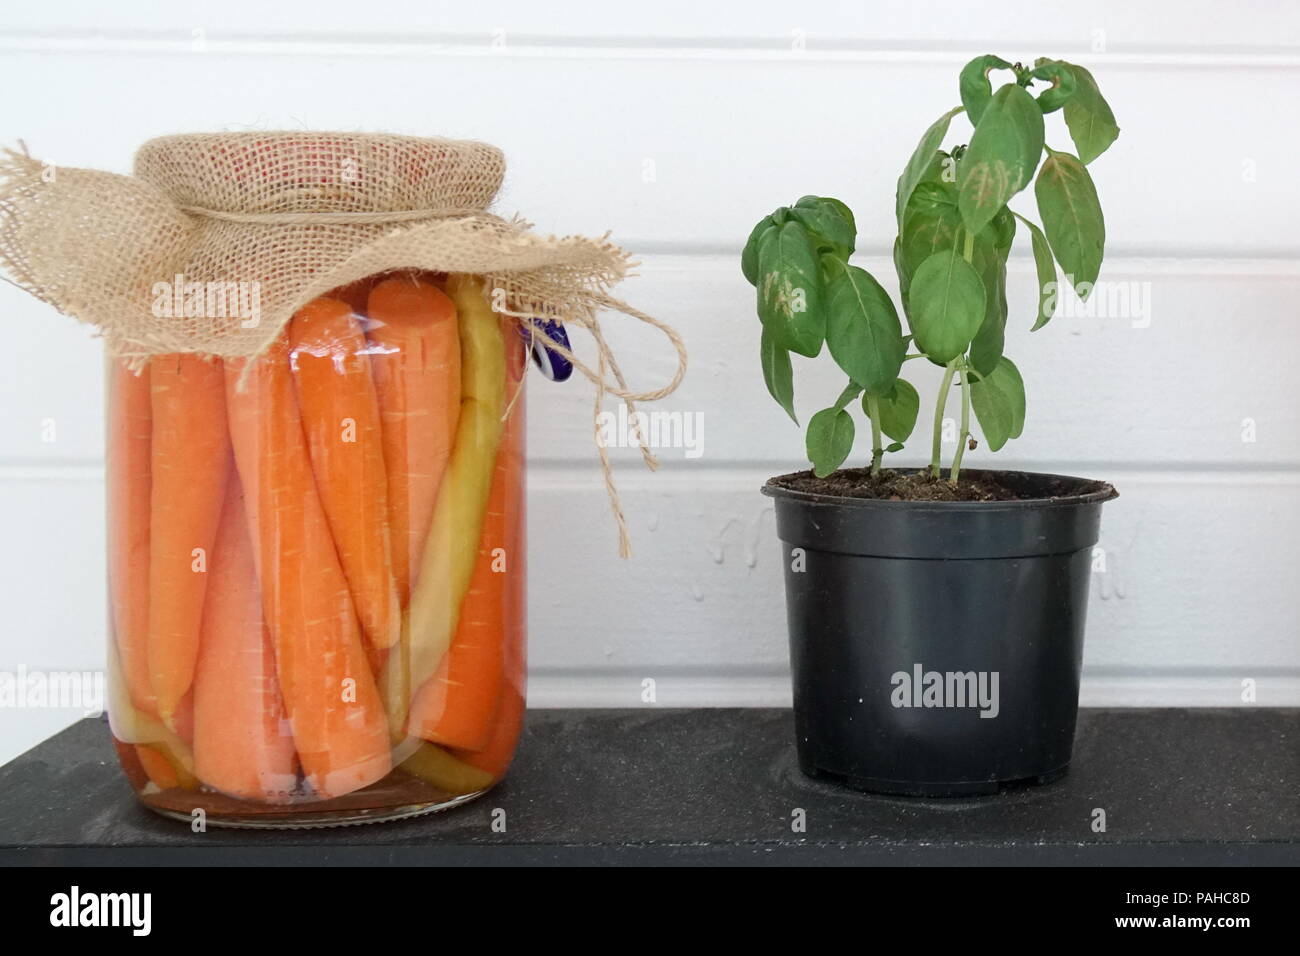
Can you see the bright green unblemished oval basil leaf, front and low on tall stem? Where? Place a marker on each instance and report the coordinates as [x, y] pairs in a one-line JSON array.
[[947, 305]]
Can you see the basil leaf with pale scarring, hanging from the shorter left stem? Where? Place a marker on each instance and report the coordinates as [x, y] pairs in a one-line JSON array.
[[791, 289]]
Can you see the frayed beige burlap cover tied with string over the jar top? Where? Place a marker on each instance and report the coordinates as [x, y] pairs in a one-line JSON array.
[[300, 214]]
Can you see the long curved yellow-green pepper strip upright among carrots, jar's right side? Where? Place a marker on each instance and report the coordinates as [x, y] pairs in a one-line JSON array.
[[452, 548]]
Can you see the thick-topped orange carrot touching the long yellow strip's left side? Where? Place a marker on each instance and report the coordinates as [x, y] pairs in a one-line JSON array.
[[415, 357]]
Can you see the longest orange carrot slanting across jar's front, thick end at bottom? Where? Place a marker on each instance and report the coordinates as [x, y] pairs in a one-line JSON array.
[[337, 717]]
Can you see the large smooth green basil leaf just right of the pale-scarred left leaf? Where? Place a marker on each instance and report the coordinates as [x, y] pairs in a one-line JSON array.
[[863, 330]]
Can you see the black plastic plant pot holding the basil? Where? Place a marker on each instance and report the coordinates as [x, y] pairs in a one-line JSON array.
[[989, 596]]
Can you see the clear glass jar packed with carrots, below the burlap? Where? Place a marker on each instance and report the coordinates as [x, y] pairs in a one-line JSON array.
[[317, 563]]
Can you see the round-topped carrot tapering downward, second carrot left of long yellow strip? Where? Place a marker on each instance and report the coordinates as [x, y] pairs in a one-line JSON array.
[[341, 417]]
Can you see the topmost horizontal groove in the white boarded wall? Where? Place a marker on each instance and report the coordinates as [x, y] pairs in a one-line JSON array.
[[535, 46]]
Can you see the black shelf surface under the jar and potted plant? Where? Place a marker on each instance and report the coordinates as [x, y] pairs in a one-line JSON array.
[[722, 786]]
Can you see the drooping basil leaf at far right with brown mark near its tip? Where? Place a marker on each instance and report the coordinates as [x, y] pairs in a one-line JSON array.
[[1072, 218]]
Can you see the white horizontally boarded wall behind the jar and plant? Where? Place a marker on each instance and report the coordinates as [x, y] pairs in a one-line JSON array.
[[735, 119]]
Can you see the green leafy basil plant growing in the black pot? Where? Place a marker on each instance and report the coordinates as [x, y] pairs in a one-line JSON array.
[[956, 232]]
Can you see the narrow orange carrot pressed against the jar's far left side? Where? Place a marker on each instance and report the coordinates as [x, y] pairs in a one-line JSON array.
[[131, 423]]
